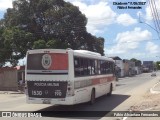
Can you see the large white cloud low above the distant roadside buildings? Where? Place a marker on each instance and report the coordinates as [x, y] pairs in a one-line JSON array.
[[129, 40]]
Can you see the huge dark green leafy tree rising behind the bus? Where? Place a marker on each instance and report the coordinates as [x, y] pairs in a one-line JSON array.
[[35, 24]]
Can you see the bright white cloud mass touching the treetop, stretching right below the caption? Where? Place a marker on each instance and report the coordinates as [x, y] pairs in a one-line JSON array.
[[100, 15]]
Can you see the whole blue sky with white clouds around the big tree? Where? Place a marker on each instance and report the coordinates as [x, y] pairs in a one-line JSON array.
[[124, 35]]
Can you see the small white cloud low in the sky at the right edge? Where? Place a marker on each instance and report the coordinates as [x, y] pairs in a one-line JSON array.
[[152, 48]]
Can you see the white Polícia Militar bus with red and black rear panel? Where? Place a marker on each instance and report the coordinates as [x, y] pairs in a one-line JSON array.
[[67, 77]]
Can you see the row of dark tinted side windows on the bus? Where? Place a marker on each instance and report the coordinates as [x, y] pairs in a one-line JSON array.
[[87, 67]]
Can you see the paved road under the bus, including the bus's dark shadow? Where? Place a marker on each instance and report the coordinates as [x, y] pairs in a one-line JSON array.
[[124, 91]]
